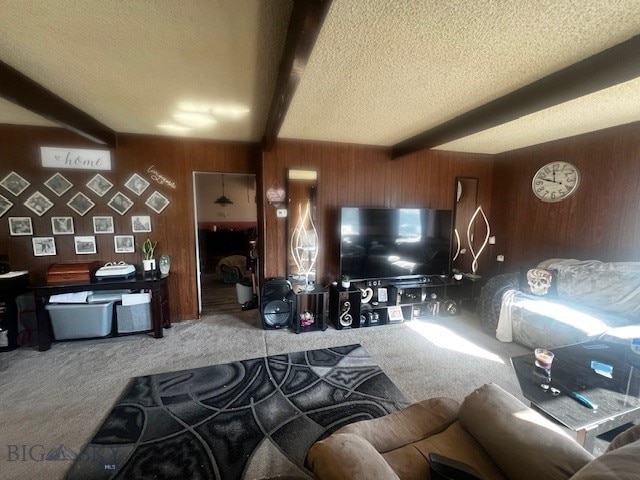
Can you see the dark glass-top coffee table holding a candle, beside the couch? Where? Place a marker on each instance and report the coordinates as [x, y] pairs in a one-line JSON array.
[[617, 397]]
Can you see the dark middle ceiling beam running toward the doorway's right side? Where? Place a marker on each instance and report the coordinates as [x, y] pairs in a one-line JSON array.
[[305, 24]]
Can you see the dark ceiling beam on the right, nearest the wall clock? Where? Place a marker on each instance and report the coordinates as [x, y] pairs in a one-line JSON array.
[[608, 68]]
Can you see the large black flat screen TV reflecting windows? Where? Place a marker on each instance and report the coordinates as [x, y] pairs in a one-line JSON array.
[[394, 243]]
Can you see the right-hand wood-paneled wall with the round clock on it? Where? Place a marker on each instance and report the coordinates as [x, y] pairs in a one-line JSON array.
[[600, 221]]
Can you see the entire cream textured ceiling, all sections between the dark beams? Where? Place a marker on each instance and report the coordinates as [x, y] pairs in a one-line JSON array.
[[381, 71]]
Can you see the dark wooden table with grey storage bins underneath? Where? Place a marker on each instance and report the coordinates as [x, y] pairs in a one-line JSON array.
[[156, 284]]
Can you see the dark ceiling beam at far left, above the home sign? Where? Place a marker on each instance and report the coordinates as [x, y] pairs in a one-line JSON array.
[[21, 90]]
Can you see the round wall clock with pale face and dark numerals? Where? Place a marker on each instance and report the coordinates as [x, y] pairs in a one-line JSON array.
[[555, 181]]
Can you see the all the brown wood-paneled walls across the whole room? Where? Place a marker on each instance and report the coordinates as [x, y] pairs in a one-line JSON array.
[[602, 220]]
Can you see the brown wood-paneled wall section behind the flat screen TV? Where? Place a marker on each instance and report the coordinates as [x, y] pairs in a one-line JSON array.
[[356, 175]]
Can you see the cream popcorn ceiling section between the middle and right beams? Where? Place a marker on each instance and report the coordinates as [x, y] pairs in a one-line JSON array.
[[384, 71]]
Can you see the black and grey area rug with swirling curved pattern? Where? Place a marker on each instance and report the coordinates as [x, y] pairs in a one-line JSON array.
[[207, 422]]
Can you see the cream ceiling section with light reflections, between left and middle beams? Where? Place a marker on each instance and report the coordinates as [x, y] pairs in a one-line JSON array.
[[129, 64]]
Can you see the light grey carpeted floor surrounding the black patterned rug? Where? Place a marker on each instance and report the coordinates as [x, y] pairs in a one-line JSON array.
[[54, 401]]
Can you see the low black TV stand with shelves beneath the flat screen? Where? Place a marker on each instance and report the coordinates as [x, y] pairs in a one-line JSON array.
[[393, 301]]
